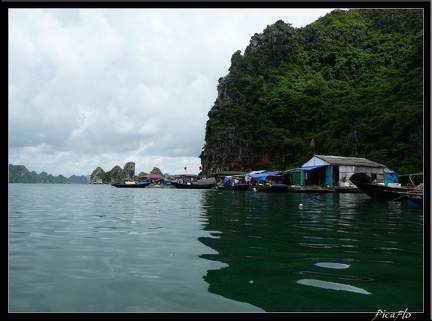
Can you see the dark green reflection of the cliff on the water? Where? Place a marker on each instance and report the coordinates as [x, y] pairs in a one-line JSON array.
[[324, 257]]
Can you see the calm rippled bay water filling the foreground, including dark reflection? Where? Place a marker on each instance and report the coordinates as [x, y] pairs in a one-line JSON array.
[[97, 248]]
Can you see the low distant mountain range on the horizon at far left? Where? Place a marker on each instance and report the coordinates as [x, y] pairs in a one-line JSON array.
[[20, 174]]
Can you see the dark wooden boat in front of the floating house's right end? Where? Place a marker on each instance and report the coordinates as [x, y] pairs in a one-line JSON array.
[[382, 191]]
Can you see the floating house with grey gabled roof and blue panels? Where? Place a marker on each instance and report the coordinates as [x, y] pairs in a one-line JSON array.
[[327, 171]]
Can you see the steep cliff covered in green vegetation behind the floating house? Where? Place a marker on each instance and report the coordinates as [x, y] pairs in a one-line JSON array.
[[352, 80]]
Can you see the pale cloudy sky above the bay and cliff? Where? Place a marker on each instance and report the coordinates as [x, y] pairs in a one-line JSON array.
[[92, 88]]
